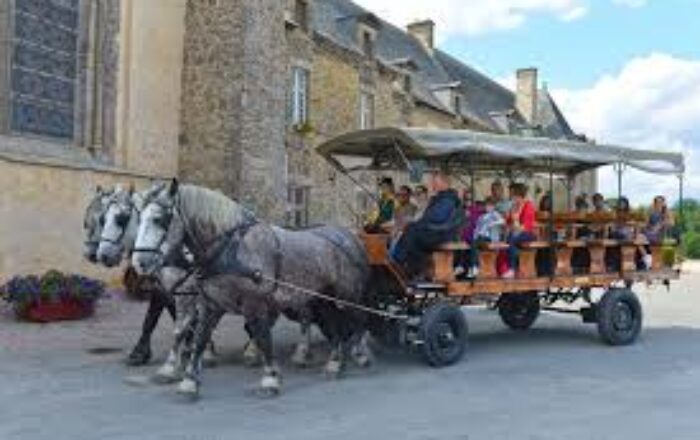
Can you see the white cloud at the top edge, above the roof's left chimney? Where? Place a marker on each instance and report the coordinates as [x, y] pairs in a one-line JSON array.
[[475, 17]]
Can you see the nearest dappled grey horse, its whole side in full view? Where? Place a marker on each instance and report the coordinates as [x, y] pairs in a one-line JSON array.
[[248, 267]]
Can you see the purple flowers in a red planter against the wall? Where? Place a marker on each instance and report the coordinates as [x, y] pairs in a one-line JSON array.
[[52, 297]]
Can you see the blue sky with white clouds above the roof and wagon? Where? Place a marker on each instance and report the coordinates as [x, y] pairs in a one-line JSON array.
[[623, 71]]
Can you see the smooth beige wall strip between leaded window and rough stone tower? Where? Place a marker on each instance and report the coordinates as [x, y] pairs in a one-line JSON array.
[[150, 65]]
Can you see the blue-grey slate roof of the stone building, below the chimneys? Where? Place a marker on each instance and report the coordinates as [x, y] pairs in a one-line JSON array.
[[484, 100]]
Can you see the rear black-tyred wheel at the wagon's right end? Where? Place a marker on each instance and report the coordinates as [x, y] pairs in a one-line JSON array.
[[619, 315]]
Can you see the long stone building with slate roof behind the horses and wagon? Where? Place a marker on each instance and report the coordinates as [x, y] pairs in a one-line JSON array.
[[232, 94]]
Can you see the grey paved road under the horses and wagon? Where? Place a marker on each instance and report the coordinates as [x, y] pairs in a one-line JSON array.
[[554, 382]]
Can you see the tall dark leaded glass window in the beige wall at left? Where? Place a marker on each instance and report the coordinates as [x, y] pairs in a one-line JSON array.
[[44, 67]]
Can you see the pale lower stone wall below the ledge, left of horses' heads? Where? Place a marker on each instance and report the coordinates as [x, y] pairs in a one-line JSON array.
[[42, 216]]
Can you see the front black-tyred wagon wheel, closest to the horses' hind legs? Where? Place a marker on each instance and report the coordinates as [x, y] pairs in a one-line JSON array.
[[443, 332]]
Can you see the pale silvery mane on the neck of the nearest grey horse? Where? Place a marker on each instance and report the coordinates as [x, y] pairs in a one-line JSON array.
[[210, 212]]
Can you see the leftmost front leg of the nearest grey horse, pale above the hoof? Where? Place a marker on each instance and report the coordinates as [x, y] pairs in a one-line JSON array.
[[208, 320]]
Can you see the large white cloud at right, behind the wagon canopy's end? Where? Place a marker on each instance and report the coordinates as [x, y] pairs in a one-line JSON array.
[[653, 103]]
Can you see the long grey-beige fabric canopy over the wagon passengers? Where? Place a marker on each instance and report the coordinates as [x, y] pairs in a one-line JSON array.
[[392, 148]]
